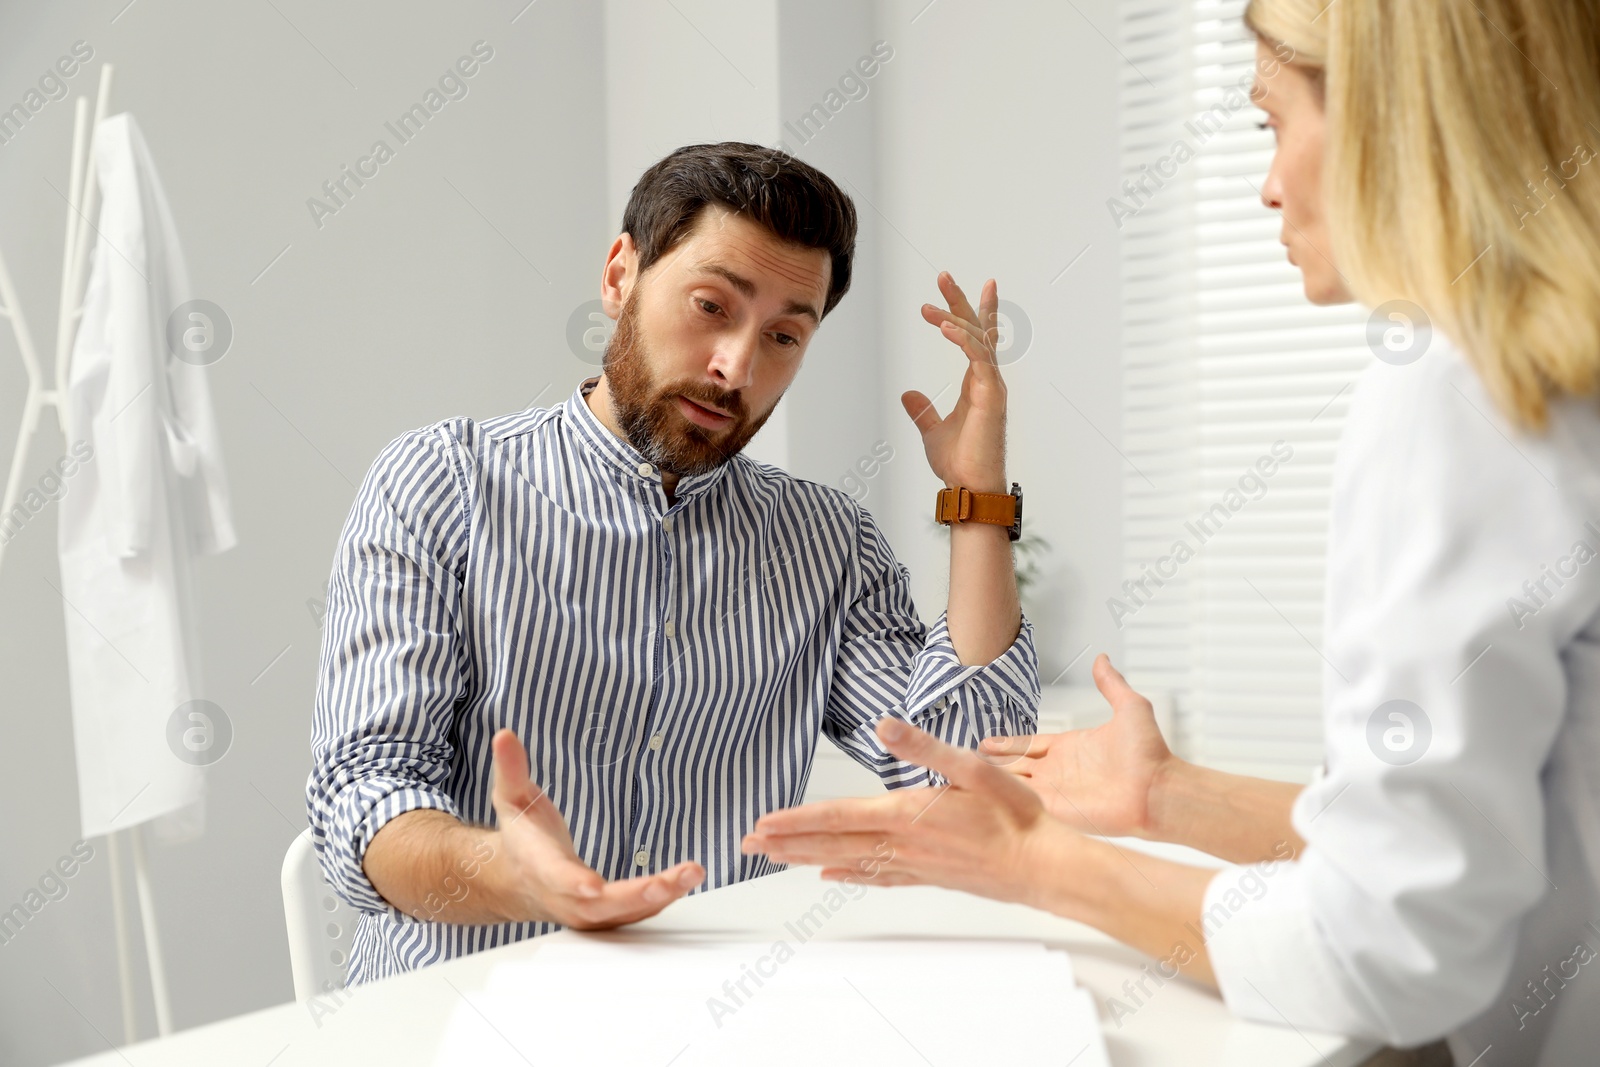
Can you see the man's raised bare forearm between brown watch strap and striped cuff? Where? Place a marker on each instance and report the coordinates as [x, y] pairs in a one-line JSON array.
[[985, 615]]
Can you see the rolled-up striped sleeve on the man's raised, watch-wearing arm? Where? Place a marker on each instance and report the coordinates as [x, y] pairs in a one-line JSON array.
[[890, 663]]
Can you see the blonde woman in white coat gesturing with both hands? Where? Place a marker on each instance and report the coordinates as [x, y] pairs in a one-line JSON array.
[[1441, 876]]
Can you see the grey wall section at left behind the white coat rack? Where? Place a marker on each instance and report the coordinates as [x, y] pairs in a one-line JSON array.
[[412, 305]]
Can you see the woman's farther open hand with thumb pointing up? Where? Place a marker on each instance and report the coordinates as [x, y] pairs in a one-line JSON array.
[[1103, 780]]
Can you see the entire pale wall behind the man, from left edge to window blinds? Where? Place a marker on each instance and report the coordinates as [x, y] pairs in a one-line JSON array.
[[985, 146]]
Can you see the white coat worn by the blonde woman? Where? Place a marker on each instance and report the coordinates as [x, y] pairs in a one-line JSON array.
[[1431, 895]]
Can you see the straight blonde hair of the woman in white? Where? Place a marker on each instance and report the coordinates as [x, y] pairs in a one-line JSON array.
[[1455, 166]]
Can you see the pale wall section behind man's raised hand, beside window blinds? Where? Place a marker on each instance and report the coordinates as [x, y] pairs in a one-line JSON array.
[[999, 146]]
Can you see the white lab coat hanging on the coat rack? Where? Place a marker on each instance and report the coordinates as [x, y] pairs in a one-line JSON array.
[[132, 518]]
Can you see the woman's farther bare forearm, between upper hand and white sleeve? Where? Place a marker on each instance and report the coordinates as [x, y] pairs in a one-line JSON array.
[[1231, 817]]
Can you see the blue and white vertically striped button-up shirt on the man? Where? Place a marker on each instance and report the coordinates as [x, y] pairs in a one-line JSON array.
[[670, 669]]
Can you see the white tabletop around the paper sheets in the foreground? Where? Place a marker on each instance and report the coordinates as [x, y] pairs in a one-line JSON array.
[[399, 1021]]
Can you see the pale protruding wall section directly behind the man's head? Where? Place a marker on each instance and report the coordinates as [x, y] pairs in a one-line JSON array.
[[740, 71]]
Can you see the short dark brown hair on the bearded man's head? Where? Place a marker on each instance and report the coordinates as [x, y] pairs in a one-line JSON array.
[[794, 201]]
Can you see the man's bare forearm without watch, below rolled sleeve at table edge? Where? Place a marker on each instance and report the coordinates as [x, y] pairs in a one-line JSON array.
[[436, 868]]
